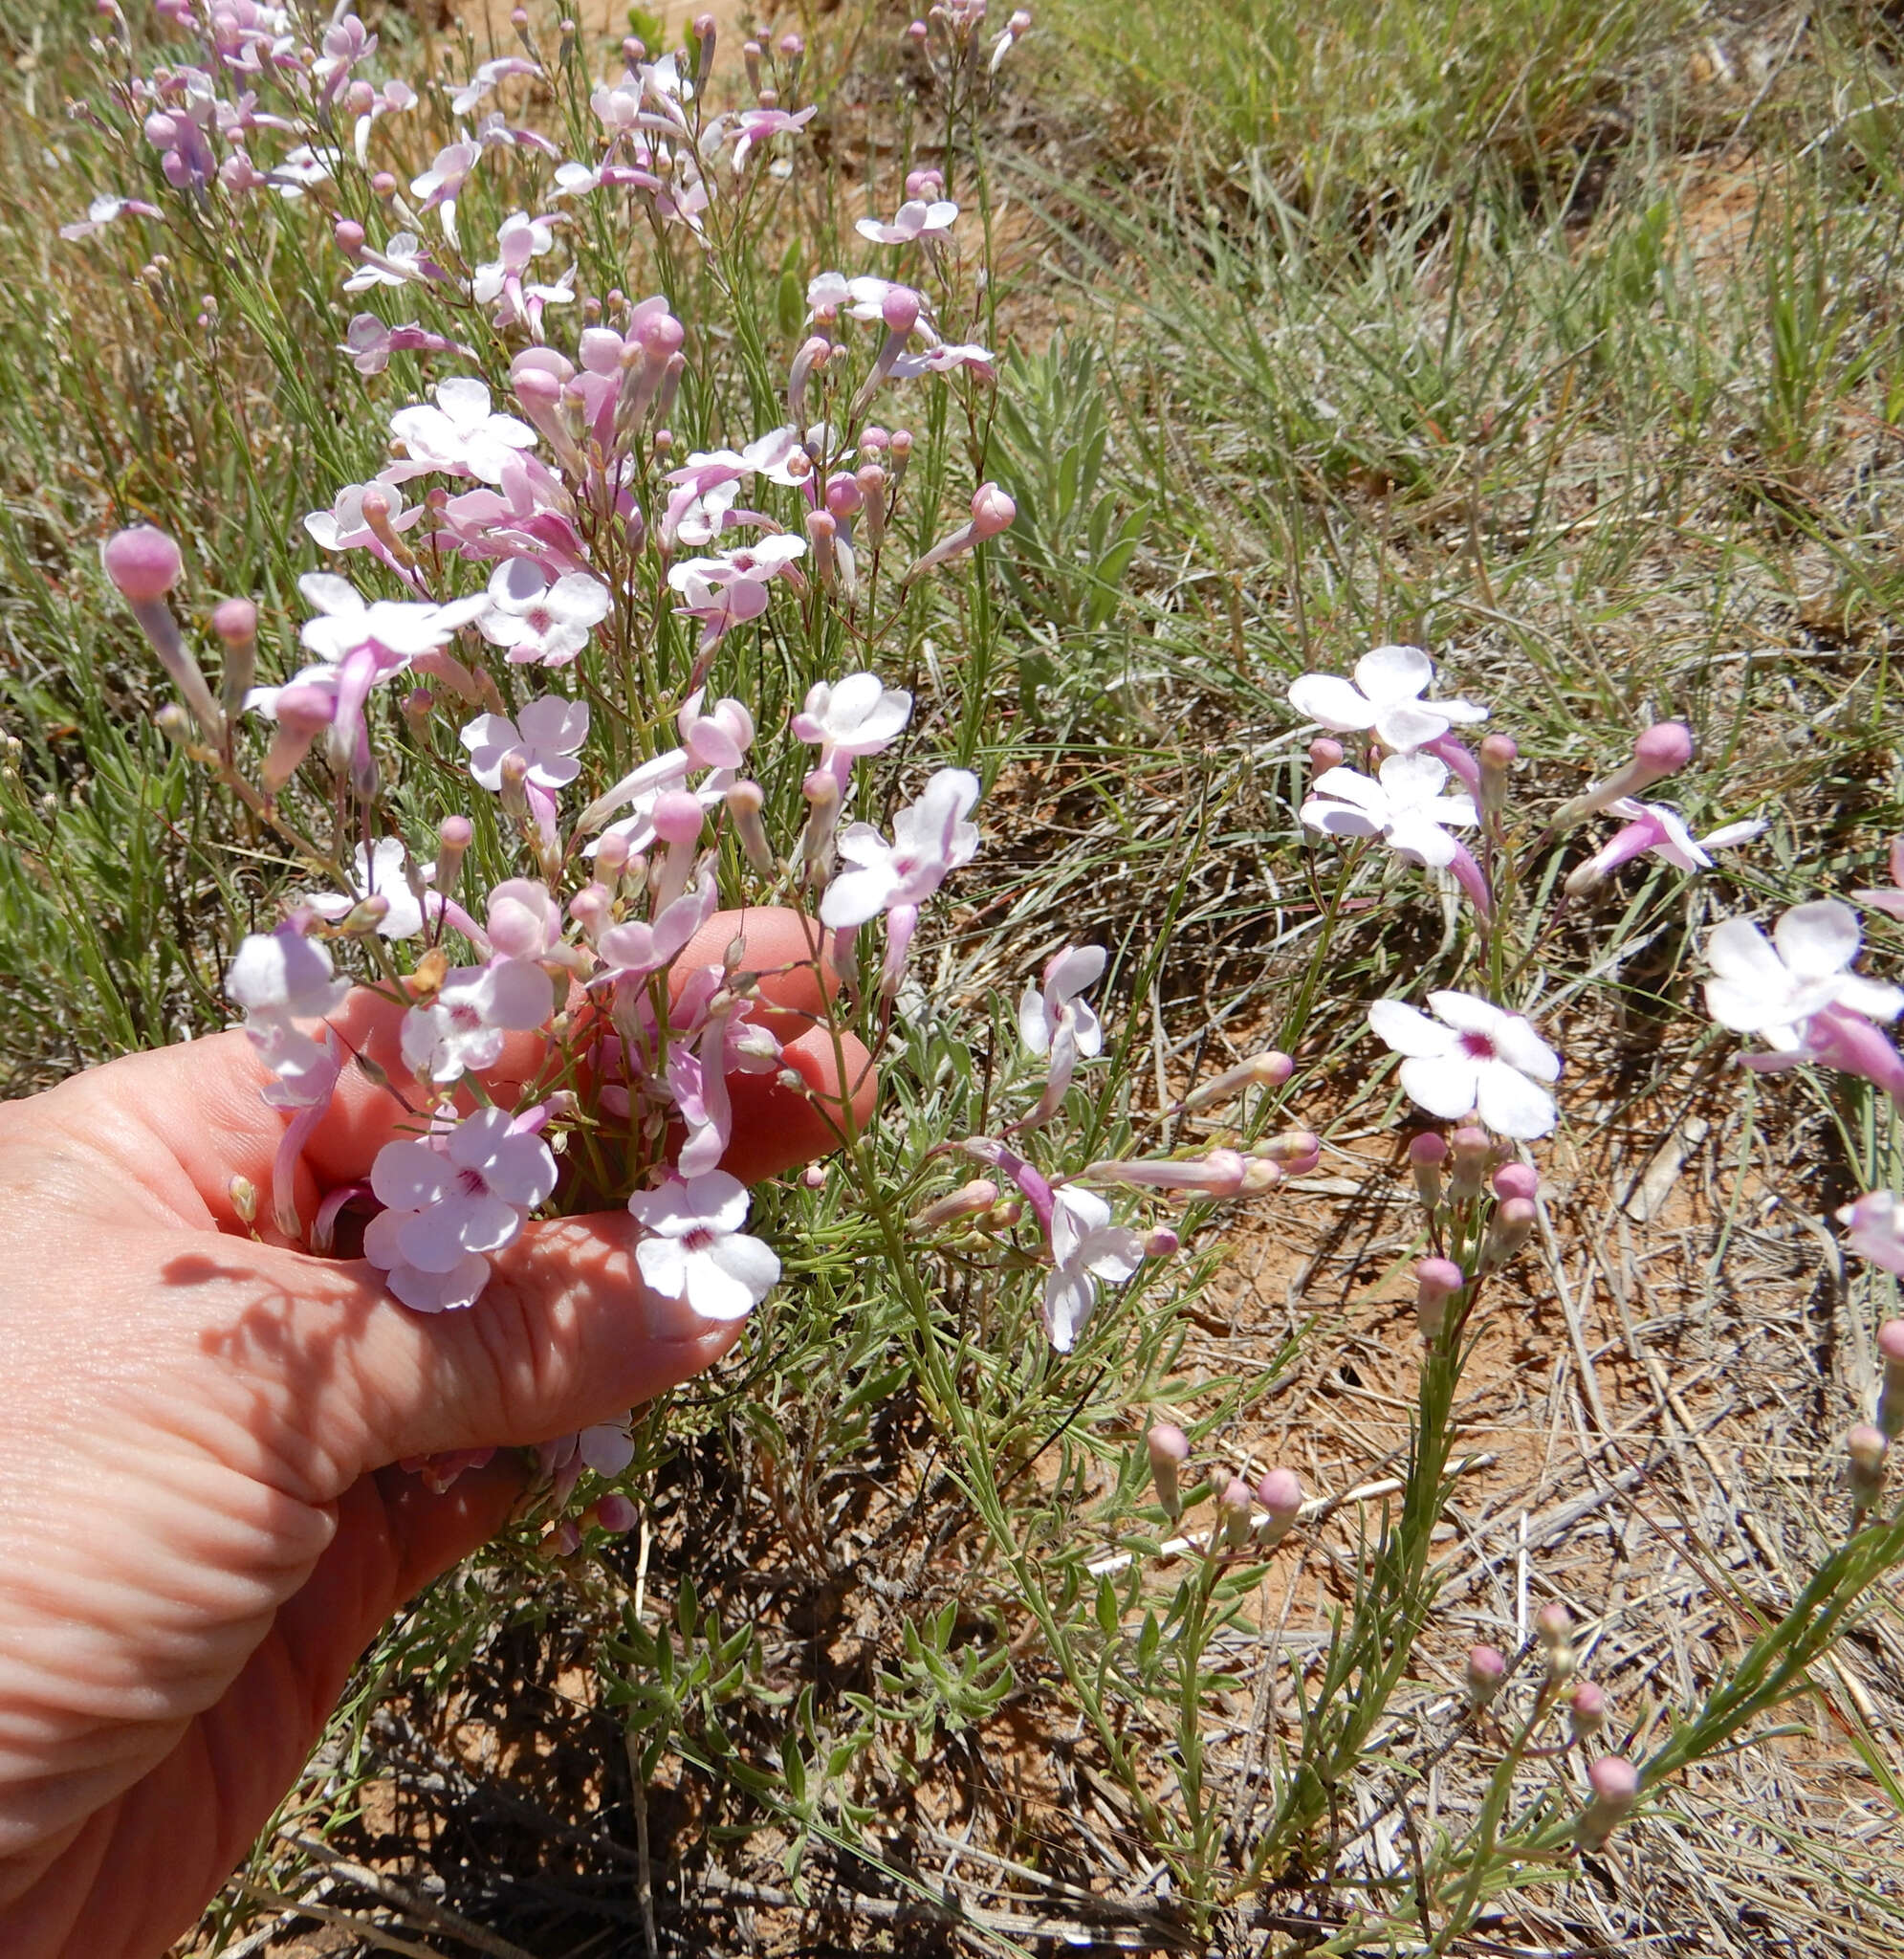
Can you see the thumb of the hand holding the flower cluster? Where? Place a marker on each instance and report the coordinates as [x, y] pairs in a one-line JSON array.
[[565, 1335]]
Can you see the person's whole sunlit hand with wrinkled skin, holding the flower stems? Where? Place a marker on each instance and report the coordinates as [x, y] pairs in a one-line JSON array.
[[199, 1523]]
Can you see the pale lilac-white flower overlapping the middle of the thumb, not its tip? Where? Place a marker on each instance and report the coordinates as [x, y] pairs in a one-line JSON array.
[[450, 1202]]
